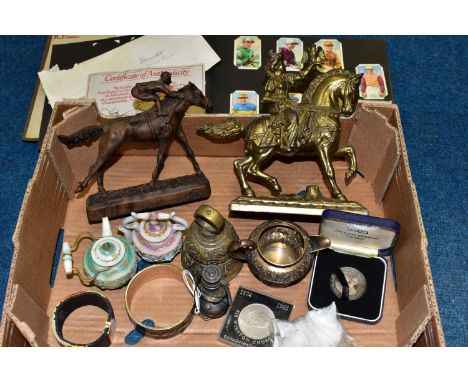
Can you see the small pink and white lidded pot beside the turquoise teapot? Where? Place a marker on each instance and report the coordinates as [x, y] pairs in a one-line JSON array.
[[156, 236]]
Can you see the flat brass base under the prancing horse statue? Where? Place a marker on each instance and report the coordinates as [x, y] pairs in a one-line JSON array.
[[312, 203]]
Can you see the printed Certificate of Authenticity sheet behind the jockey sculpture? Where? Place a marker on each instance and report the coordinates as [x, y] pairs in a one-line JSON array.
[[112, 90]]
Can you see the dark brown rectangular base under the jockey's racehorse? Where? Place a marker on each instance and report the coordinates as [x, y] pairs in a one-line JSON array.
[[147, 197]]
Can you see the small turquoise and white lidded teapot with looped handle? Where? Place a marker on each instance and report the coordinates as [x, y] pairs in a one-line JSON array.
[[108, 263]]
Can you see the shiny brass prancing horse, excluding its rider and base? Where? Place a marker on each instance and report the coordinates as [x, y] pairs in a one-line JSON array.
[[328, 96]]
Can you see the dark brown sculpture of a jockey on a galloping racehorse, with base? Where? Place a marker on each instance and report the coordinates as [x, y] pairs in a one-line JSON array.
[[163, 125]]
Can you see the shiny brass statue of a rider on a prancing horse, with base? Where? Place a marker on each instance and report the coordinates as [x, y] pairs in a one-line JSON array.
[[294, 128]]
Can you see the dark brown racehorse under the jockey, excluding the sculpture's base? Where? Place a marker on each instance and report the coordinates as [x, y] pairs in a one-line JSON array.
[[146, 126]]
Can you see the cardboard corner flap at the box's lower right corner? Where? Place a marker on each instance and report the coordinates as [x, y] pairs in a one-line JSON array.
[[414, 318]]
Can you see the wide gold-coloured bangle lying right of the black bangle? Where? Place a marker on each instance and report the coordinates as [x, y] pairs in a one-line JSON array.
[[145, 276]]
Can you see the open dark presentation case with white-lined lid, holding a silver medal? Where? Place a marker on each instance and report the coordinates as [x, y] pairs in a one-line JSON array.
[[358, 242]]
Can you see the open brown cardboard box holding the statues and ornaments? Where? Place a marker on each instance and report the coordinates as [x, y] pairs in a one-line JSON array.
[[410, 315]]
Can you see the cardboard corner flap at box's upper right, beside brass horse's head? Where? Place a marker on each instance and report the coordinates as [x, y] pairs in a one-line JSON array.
[[377, 161]]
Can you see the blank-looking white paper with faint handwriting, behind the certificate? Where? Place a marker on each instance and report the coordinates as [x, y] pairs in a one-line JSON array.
[[144, 52]]
